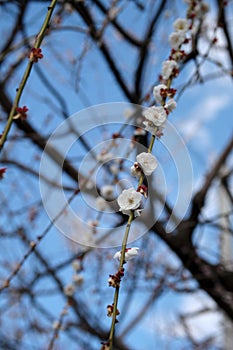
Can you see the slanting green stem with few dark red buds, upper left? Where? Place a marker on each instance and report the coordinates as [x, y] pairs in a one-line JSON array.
[[26, 74]]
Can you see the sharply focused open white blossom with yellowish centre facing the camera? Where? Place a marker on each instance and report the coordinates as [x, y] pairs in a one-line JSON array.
[[129, 200]]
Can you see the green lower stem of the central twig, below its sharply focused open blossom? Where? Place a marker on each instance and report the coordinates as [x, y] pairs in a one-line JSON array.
[[117, 289]]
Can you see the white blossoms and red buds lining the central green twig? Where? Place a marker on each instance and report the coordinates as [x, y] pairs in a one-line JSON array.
[[155, 118]]
